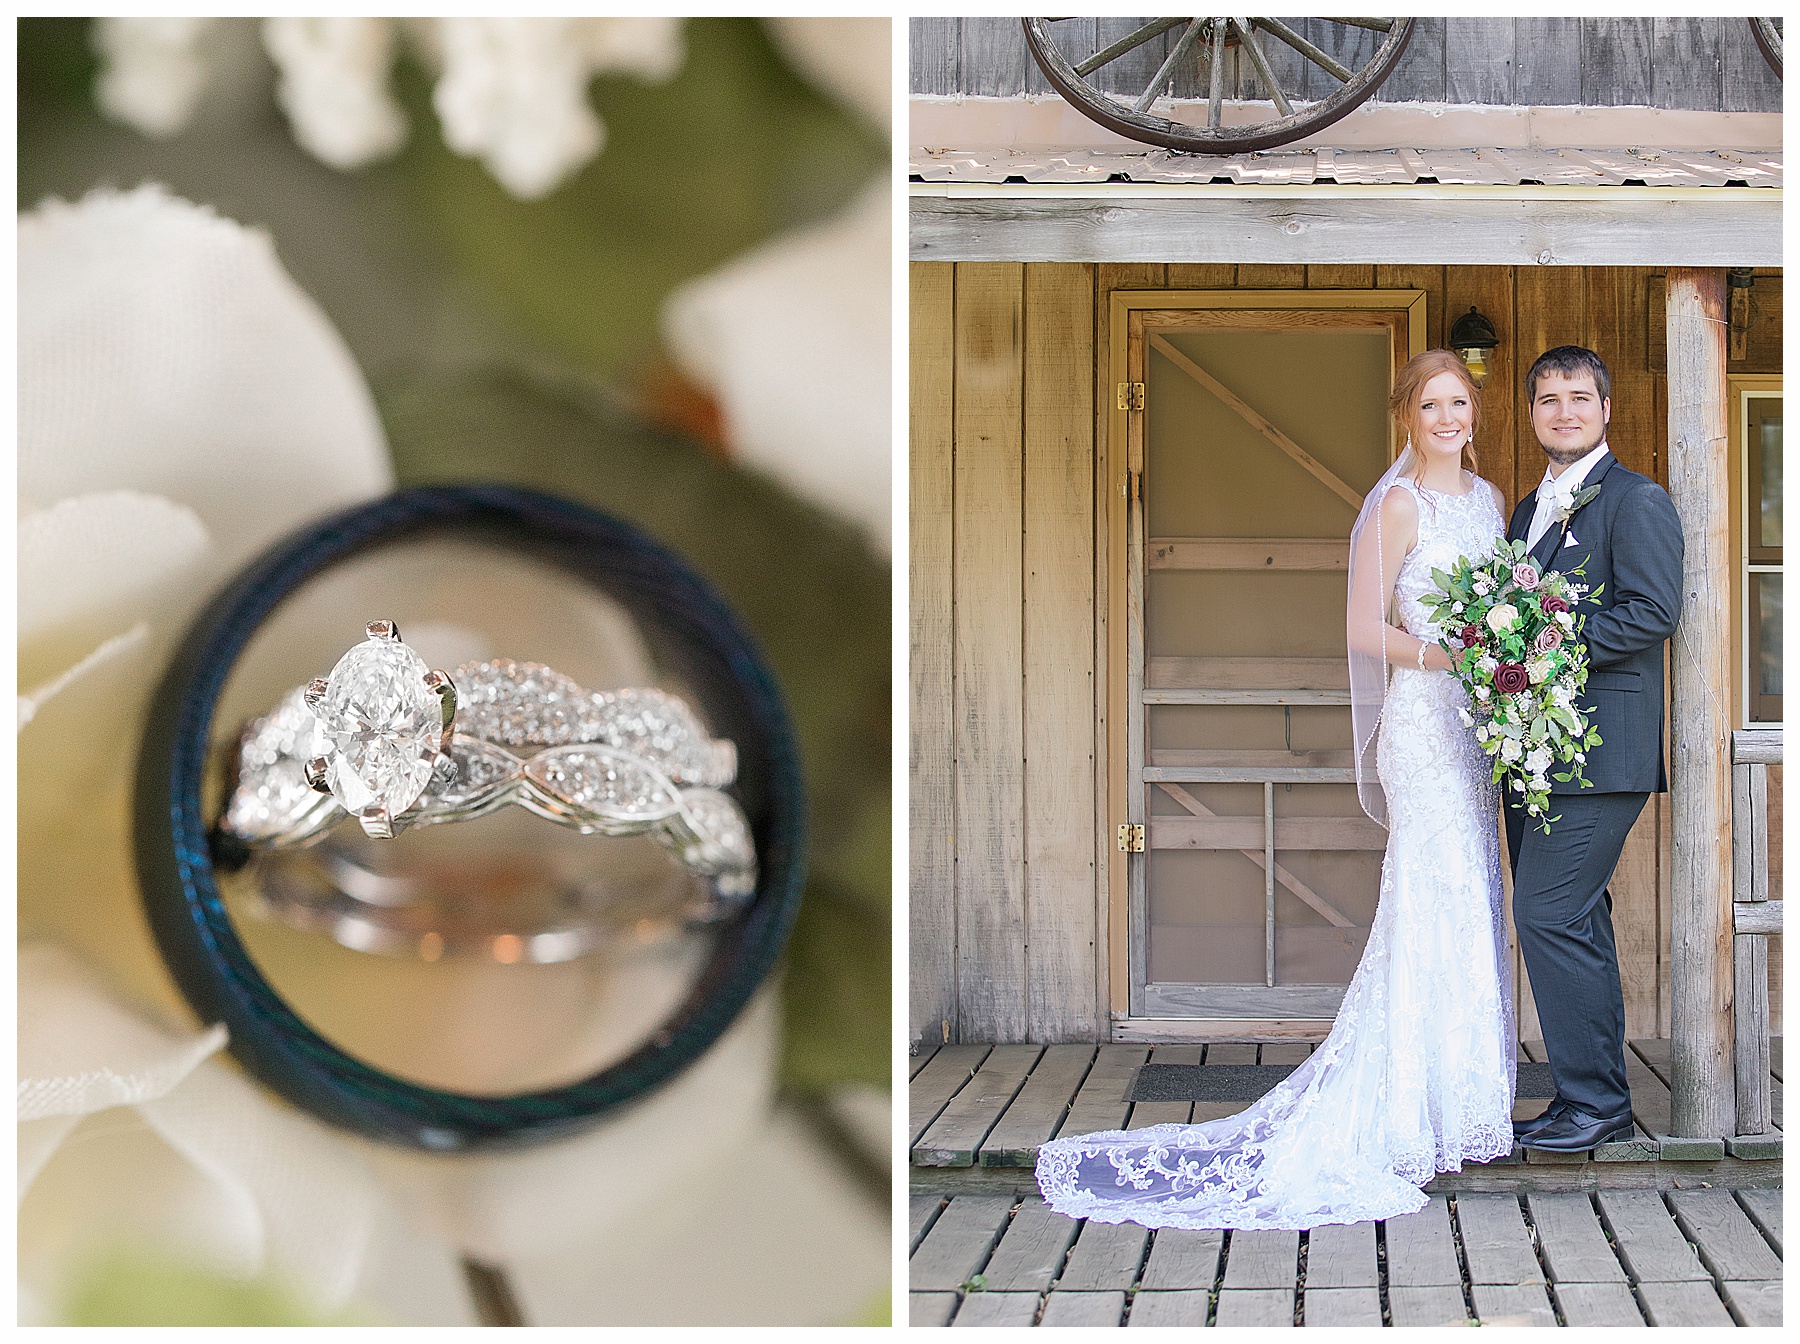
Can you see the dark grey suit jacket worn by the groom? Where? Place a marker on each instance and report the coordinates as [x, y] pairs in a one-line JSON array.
[[1630, 541]]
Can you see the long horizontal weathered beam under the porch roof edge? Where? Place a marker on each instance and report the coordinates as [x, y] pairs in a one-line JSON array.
[[1450, 226]]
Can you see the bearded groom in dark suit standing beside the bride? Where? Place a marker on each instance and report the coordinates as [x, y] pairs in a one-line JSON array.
[[1623, 532]]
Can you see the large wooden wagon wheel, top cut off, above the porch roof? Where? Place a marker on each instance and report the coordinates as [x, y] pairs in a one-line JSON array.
[[1203, 46]]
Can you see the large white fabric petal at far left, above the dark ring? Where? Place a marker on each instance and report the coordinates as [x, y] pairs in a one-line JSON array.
[[165, 350]]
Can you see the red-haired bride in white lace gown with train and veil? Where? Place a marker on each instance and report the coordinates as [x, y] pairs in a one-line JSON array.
[[1417, 1071]]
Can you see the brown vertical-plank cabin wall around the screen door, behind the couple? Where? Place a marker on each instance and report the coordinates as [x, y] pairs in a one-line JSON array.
[[1009, 899]]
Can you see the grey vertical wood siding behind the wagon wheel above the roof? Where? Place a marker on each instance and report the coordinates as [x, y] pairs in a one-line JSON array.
[[1696, 64]]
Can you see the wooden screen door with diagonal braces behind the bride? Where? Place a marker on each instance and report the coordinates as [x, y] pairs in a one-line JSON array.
[[1254, 426]]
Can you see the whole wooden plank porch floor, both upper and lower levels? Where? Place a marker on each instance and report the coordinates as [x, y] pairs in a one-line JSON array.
[[1657, 1232]]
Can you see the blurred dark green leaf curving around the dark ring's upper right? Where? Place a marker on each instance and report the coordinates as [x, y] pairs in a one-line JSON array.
[[813, 593]]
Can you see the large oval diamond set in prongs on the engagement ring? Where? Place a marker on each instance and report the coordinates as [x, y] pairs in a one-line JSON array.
[[382, 728]]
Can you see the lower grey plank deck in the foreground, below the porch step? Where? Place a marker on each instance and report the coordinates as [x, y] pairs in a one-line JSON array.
[[1615, 1259]]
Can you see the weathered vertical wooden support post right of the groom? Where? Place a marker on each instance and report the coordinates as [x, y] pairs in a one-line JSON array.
[[1700, 785]]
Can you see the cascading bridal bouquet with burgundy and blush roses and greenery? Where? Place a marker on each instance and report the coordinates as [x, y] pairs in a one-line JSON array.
[[1513, 636]]
